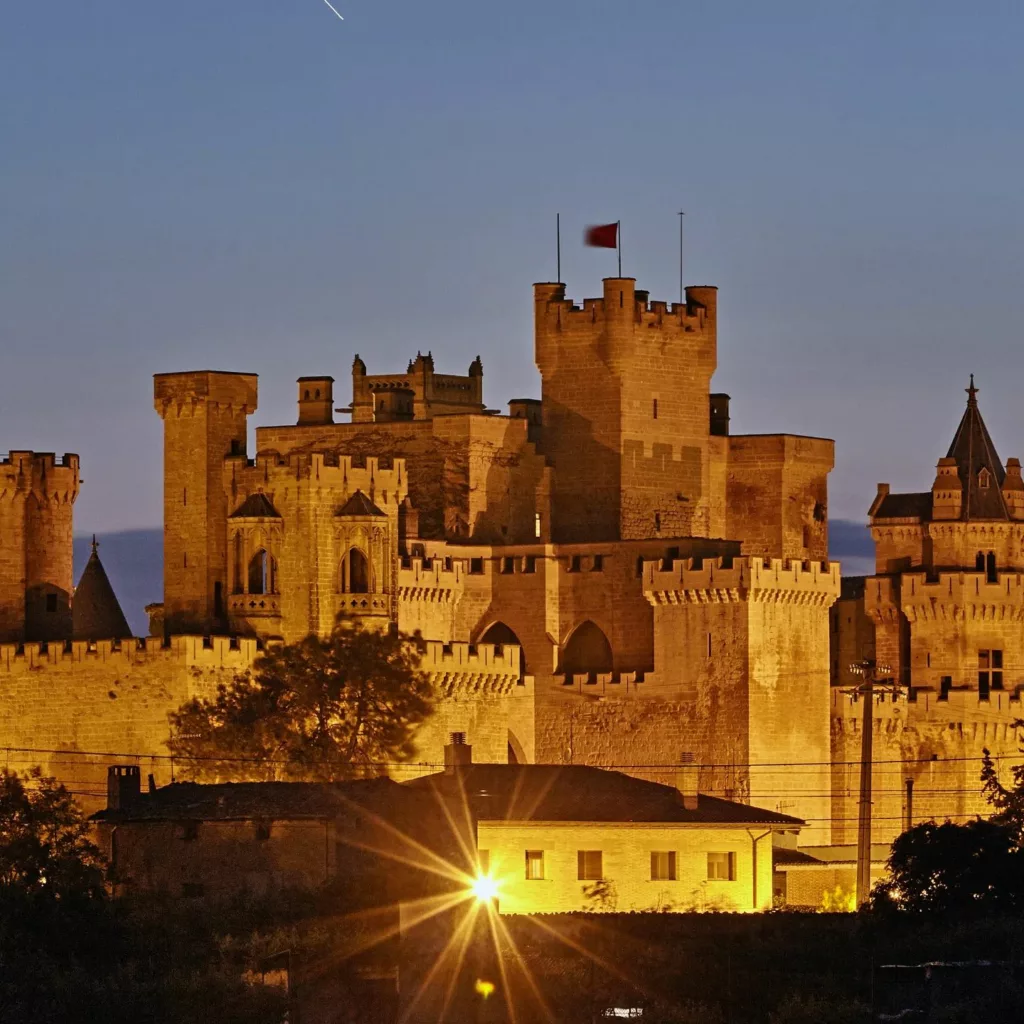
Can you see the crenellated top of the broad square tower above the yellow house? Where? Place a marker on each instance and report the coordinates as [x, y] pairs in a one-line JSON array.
[[695, 581]]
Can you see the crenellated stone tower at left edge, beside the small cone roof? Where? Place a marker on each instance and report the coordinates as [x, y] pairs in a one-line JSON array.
[[37, 494]]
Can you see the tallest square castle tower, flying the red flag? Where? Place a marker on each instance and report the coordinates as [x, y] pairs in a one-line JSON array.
[[625, 394]]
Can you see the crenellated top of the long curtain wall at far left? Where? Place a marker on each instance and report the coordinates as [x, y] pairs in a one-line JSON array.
[[190, 652]]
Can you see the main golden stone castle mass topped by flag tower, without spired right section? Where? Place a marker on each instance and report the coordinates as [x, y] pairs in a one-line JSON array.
[[606, 576]]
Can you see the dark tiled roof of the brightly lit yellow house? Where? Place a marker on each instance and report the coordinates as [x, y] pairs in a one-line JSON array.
[[578, 793]]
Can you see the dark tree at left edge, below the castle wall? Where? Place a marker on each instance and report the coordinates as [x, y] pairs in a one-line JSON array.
[[45, 845]]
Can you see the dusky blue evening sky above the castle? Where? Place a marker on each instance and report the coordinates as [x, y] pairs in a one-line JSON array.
[[254, 185]]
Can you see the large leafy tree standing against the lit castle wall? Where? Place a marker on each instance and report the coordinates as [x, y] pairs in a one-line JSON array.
[[313, 711]]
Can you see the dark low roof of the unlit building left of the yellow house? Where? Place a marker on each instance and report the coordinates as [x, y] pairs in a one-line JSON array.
[[252, 801]]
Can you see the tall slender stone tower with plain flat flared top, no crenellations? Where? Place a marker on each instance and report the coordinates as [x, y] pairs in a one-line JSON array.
[[204, 416]]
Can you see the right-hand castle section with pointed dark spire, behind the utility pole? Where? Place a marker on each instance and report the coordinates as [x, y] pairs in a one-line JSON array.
[[946, 612]]
